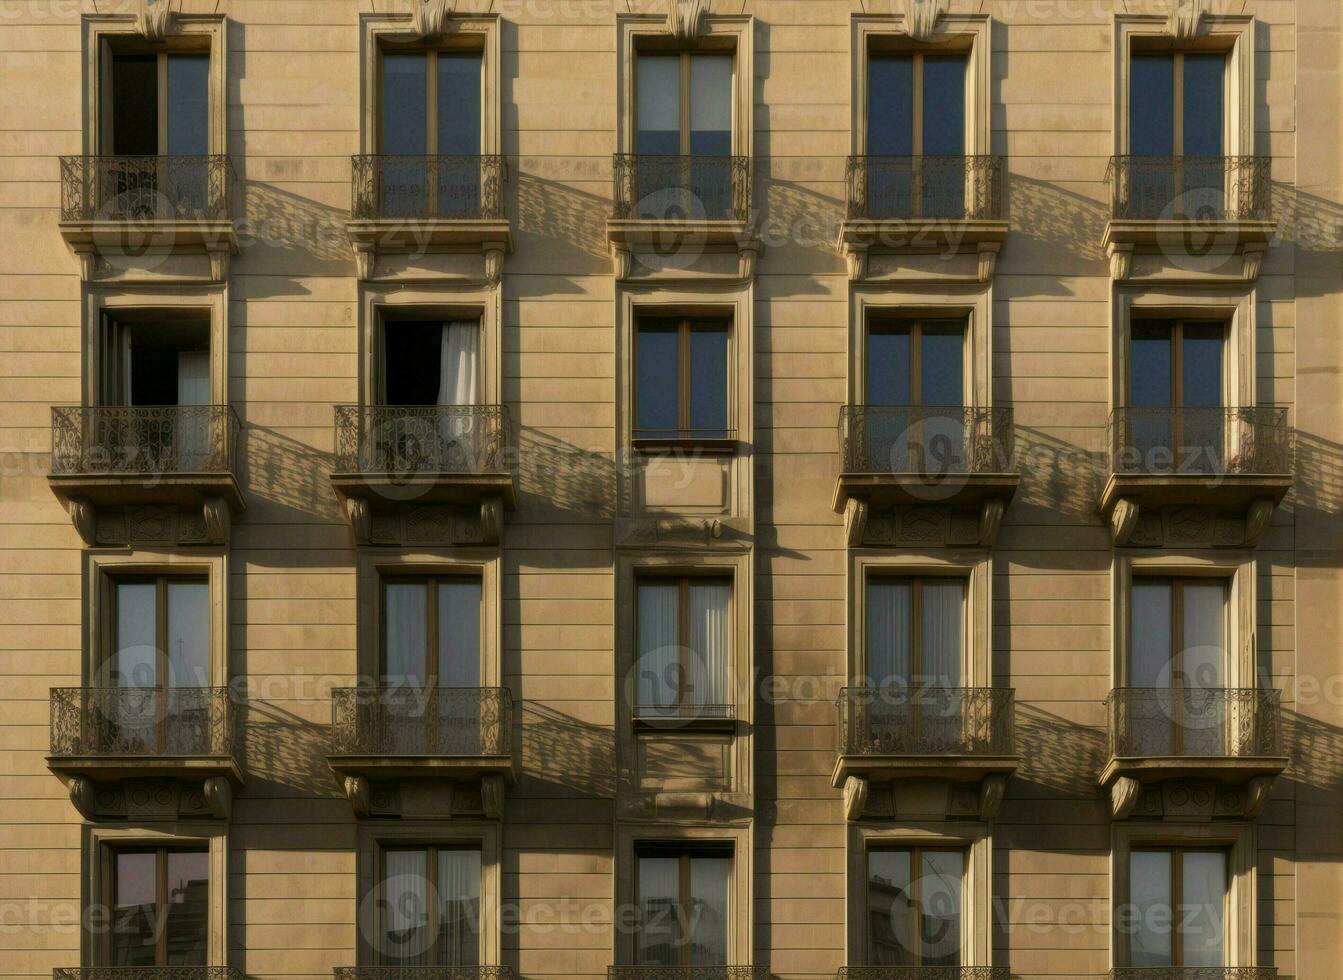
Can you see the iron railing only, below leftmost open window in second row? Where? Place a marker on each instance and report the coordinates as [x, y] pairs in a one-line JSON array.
[[138, 440]]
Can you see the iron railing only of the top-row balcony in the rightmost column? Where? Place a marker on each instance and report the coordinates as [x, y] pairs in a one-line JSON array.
[[1191, 189]]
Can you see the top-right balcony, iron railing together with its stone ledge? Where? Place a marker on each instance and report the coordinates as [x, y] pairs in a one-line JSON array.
[[1191, 201]]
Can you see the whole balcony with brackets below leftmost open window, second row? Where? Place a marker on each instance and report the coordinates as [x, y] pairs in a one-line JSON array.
[[112, 456]]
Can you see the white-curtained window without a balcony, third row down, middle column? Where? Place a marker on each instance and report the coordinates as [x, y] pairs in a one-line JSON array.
[[684, 634]]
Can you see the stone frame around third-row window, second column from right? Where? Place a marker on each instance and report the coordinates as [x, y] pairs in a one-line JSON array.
[[972, 566]]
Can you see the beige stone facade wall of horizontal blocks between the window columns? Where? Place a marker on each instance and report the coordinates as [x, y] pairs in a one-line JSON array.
[[293, 305]]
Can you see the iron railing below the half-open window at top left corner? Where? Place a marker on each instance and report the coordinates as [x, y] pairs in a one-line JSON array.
[[160, 189]]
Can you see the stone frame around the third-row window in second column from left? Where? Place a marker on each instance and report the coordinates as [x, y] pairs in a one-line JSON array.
[[375, 566]]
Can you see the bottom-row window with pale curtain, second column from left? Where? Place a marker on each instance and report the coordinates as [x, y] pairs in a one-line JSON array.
[[430, 910]]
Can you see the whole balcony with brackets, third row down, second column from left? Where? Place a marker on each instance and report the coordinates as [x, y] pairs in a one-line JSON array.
[[453, 734]]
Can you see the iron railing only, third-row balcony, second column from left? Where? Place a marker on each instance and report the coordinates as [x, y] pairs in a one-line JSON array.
[[422, 722]]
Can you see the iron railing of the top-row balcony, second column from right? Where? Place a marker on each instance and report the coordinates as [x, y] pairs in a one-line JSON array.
[[934, 187]]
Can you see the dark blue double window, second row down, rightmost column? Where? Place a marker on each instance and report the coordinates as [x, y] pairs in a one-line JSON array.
[[1176, 386]]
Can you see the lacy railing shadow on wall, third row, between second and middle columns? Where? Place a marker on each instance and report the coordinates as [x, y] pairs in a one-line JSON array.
[[563, 756]]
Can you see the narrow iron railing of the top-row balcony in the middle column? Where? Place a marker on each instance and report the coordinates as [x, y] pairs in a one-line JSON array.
[[688, 189]]
